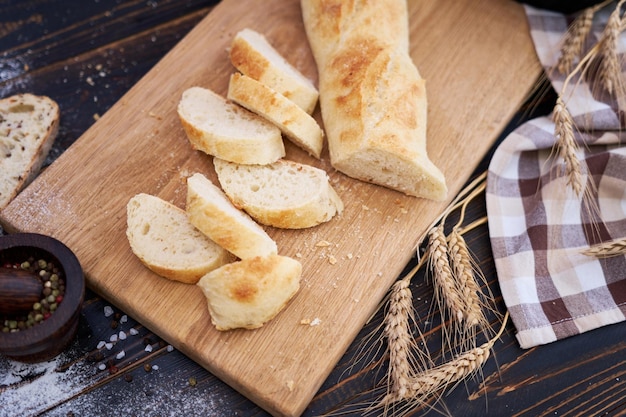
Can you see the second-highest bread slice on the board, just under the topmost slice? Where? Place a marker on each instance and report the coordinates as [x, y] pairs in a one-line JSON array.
[[300, 127]]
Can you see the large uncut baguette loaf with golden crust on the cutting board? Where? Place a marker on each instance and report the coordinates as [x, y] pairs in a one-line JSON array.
[[372, 97]]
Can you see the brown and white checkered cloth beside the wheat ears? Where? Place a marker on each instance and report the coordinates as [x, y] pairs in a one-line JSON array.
[[538, 225]]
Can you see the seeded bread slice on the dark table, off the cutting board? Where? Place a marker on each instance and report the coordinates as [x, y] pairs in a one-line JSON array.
[[28, 128]]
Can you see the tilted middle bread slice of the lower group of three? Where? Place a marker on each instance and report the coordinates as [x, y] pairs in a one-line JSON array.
[[210, 210]]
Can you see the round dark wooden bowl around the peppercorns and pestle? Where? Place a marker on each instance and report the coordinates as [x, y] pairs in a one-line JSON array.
[[47, 339]]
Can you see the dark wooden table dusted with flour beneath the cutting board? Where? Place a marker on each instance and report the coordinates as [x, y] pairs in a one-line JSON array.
[[86, 55]]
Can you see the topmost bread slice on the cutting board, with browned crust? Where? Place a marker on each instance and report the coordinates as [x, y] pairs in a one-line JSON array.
[[252, 55]]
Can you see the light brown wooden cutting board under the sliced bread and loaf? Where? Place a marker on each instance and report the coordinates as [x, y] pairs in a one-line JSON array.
[[479, 63]]
